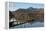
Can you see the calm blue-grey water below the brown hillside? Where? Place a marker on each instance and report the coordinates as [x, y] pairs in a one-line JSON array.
[[29, 25]]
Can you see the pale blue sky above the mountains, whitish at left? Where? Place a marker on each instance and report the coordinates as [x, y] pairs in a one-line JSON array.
[[16, 5]]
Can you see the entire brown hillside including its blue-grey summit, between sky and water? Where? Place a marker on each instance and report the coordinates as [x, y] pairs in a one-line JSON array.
[[29, 14]]
